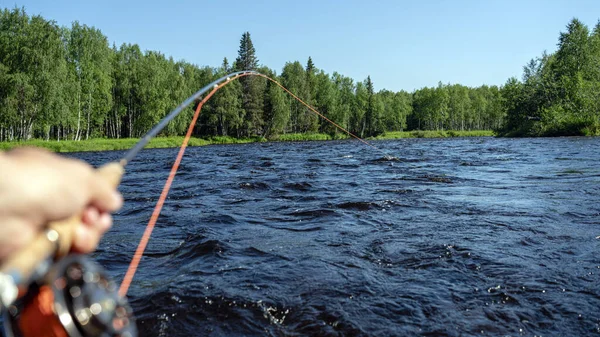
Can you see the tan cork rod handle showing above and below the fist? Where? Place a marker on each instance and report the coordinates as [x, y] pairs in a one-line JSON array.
[[57, 240]]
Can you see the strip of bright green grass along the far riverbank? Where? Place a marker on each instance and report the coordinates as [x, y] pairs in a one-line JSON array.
[[174, 142]]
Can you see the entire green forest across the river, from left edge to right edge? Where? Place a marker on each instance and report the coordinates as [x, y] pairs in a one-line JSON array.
[[69, 83]]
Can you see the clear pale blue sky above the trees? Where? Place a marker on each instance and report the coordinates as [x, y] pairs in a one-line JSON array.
[[402, 45]]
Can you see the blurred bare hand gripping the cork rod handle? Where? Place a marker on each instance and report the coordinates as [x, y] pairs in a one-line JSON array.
[[37, 187]]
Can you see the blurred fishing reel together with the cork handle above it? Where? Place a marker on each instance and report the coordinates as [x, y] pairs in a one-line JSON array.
[[63, 294]]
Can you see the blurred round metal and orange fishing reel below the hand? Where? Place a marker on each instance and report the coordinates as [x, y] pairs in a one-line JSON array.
[[75, 299]]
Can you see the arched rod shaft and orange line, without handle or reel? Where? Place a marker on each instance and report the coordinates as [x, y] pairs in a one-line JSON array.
[[215, 86]]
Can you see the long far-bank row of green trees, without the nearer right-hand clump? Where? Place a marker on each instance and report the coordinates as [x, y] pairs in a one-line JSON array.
[[72, 84]]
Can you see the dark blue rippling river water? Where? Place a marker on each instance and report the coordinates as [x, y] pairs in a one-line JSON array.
[[460, 237]]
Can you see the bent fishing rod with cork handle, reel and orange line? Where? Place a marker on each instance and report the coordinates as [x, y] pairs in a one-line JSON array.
[[46, 290]]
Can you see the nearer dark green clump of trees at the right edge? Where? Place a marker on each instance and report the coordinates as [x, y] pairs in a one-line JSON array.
[[560, 92]]
